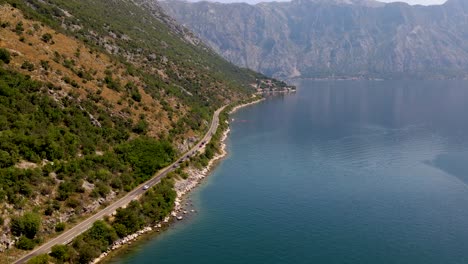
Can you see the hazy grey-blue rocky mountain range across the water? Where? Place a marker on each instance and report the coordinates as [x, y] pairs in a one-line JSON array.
[[339, 38]]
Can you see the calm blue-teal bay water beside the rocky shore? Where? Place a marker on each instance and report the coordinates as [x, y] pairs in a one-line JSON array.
[[341, 172]]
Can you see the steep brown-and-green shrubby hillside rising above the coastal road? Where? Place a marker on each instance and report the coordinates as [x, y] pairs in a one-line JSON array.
[[96, 96]]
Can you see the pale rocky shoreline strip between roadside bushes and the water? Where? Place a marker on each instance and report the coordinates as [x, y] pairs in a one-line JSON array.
[[182, 187]]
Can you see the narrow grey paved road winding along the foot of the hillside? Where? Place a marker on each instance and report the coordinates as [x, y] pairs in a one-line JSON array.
[[67, 236]]
